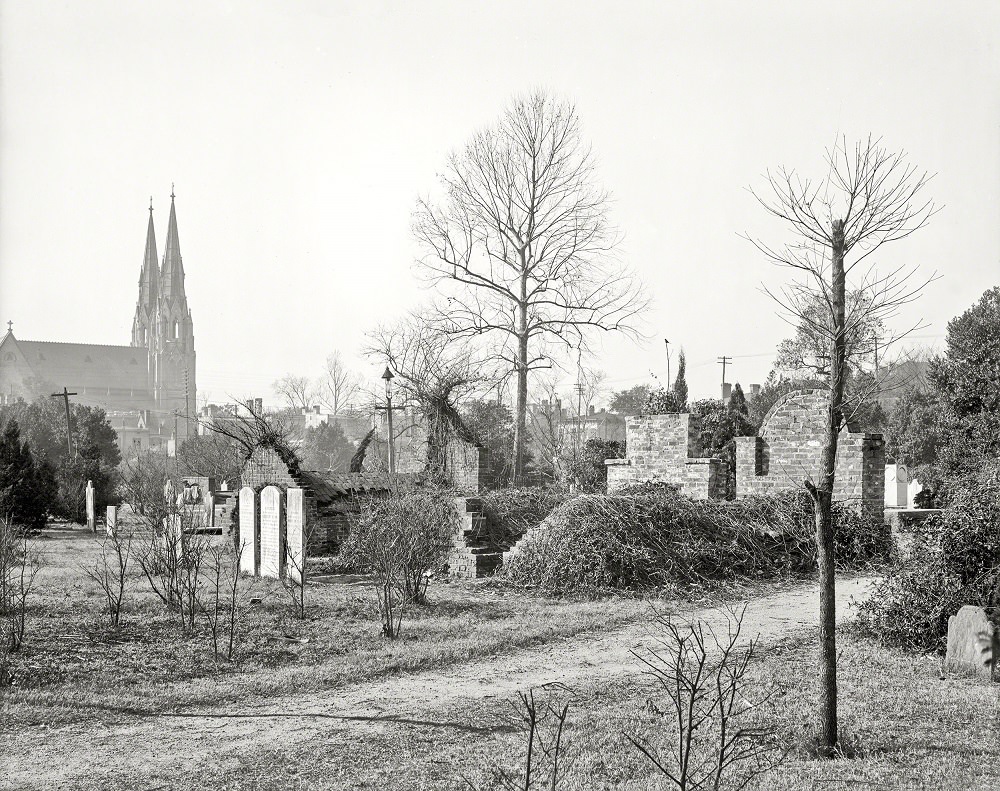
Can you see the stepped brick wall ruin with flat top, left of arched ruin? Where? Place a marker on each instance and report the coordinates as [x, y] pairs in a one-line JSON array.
[[665, 448]]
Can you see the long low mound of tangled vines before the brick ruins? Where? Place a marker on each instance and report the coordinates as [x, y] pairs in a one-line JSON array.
[[648, 536]]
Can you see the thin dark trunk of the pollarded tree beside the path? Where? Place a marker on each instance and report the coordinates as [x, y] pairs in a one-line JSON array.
[[822, 494]]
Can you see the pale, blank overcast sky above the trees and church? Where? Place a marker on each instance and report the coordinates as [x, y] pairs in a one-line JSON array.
[[300, 134]]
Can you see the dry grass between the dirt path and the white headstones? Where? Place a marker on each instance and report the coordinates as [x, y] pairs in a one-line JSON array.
[[74, 667]]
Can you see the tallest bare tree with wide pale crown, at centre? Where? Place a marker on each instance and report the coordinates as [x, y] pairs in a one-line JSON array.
[[523, 242]]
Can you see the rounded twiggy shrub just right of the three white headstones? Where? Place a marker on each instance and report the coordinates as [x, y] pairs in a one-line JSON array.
[[399, 538]]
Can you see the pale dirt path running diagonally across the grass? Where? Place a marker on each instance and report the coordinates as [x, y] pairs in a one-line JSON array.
[[173, 745]]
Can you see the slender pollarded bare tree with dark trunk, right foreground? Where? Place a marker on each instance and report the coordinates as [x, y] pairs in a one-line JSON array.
[[869, 197]]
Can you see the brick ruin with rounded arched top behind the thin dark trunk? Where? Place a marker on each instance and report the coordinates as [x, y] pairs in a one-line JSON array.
[[789, 448]]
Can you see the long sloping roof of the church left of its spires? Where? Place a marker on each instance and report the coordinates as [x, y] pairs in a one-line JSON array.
[[84, 365]]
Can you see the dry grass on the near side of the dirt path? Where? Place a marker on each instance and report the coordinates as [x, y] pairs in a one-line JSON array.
[[906, 728]]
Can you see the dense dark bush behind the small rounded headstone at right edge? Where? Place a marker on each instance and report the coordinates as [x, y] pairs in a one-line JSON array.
[[955, 560]]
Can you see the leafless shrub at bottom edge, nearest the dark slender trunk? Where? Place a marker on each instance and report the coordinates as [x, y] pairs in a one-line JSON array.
[[717, 736]]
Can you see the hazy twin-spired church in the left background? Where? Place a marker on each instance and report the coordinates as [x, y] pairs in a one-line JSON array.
[[148, 387]]
